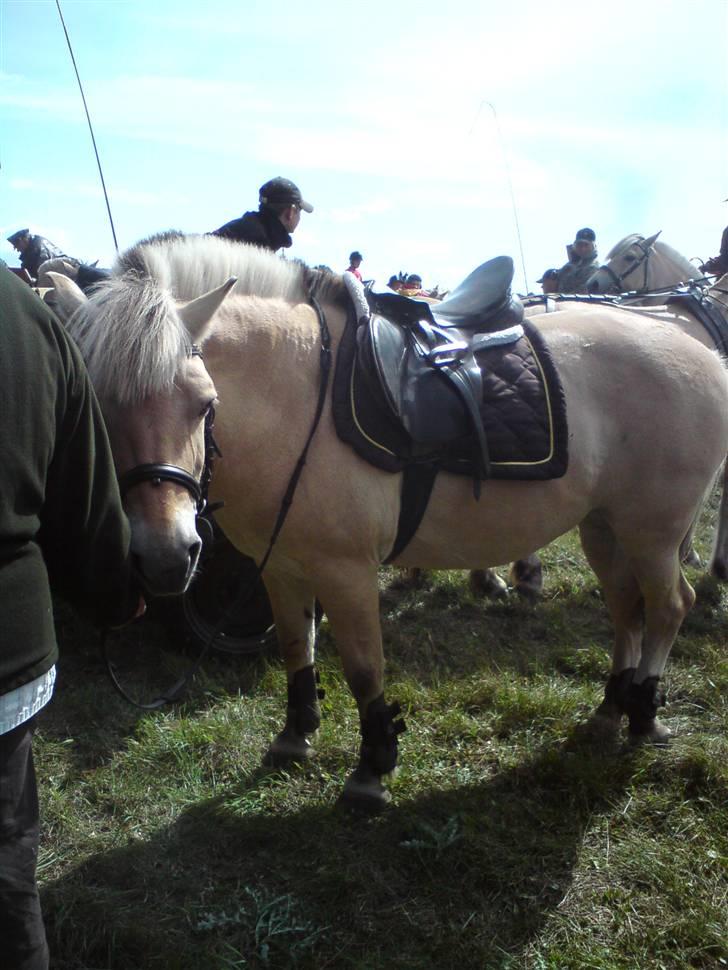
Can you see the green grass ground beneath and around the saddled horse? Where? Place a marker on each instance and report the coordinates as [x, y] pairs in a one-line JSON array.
[[509, 843]]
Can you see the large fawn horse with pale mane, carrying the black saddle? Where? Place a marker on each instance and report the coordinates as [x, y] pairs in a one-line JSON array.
[[639, 467]]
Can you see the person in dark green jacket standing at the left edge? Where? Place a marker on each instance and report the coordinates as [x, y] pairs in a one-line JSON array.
[[62, 527]]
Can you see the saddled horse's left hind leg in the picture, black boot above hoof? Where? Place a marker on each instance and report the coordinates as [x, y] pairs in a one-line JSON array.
[[624, 601]]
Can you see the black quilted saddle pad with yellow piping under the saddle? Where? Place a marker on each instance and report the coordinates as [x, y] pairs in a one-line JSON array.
[[523, 408]]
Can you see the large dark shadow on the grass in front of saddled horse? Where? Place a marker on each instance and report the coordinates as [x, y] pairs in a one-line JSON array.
[[458, 878]]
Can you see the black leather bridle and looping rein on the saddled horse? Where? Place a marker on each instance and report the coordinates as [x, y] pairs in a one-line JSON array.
[[157, 472]]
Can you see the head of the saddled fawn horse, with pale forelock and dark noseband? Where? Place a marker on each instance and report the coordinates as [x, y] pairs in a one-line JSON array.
[[156, 396]]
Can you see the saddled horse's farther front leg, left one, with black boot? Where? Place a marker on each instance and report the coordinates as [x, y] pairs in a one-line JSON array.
[[293, 606]]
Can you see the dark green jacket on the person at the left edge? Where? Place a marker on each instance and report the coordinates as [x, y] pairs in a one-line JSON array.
[[61, 521]]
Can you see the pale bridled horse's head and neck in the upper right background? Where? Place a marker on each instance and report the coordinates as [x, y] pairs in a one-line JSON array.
[[639, 265]]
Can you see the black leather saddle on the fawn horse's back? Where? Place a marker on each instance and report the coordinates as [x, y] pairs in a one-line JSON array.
[[423, 356]]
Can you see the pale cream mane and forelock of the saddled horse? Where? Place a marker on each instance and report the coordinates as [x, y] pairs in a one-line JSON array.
[[129, 331]]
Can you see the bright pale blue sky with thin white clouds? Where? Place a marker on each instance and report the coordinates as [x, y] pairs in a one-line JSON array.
[[429, 136]]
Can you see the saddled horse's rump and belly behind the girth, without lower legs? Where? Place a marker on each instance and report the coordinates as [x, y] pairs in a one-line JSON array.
[[636, 450]]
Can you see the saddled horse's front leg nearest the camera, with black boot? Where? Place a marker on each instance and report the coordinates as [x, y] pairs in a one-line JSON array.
[[351, 600]]
